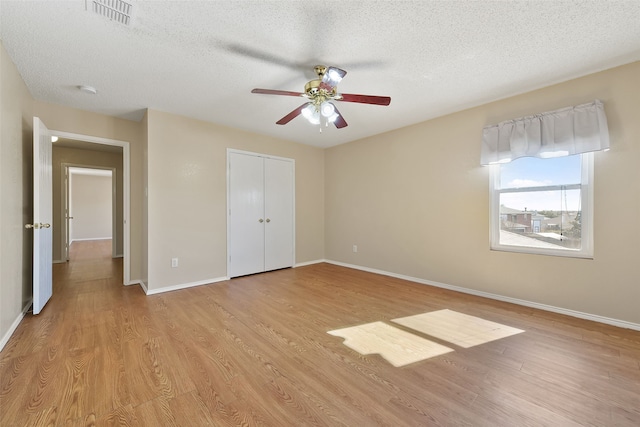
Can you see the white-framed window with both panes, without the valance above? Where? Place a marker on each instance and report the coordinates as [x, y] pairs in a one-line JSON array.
[[543, 205]]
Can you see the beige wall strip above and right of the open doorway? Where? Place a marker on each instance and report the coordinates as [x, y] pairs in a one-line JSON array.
[[64, 119]]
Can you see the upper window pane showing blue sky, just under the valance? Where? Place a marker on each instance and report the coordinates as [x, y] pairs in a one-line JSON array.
[[534, 172]]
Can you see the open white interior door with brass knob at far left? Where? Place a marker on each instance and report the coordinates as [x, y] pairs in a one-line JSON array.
[[42, 216]]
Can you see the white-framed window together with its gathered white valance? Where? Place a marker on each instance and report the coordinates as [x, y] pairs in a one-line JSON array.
[[542, 180]]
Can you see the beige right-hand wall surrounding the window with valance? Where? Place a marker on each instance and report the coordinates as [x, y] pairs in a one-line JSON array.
[[416, 202]]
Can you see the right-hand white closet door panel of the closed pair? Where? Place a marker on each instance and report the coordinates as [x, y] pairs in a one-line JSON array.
[[279, 213]]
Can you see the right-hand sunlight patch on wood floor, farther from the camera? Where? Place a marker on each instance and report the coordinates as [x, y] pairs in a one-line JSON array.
[[457, 328]]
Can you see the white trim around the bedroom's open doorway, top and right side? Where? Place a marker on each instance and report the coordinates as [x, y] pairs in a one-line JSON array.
[[126, 191]]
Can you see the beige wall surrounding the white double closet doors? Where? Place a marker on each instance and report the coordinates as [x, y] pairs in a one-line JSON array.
[[187, 196]]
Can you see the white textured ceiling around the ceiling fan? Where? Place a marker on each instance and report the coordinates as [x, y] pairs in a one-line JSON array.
[[201, 59]]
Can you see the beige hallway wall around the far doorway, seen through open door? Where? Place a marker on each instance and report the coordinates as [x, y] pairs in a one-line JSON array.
[[87, 158]]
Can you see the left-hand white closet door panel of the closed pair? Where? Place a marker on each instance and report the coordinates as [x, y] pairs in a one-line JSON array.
[[246, 214]]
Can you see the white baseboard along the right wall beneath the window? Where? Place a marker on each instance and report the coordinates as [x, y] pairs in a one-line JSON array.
[[545, 307]]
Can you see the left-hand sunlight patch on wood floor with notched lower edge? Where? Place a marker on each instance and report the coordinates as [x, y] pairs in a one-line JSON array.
[[398, 347]]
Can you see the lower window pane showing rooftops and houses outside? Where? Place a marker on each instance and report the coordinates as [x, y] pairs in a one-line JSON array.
[[541, 219]]
